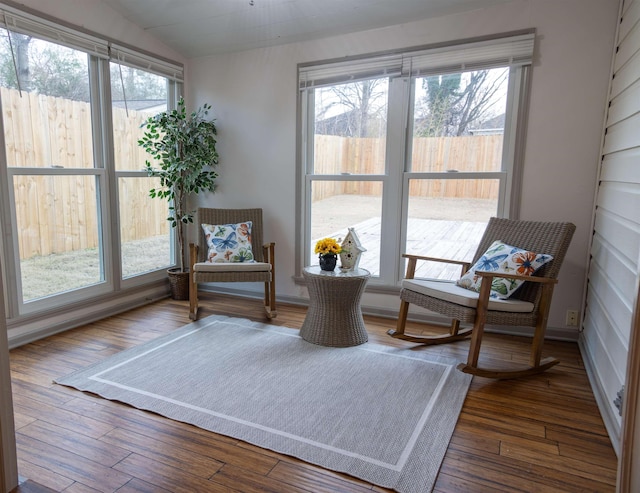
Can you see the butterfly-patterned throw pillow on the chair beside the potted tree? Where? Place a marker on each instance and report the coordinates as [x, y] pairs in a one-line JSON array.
[[229, 242]]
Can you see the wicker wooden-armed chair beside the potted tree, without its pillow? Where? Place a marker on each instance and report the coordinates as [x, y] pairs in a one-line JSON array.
[[262, 270]]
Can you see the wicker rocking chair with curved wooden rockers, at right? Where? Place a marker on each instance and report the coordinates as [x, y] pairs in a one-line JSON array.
[[529, 306]]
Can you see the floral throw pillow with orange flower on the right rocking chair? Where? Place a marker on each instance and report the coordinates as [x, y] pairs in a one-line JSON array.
[[508, 259]]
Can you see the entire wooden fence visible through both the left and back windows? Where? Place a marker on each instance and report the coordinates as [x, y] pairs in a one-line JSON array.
[[57, 214]]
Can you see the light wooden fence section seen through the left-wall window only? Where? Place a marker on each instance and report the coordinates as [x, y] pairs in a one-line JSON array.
[[59, 213]]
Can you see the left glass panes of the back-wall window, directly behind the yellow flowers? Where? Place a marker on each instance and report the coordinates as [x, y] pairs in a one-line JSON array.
[[350, 129]]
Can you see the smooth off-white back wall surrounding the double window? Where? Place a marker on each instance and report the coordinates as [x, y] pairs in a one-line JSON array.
[[253, 94]]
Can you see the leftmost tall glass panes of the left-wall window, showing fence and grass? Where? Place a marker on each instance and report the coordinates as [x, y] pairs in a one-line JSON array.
[[55, 182]]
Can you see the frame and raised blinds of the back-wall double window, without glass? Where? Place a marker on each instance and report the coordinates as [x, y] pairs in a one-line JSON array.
[[396, 179]]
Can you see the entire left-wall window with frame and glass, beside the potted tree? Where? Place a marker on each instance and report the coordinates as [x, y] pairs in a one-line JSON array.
[[75, 196]]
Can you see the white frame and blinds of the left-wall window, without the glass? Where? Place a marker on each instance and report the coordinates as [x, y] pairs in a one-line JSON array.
[[100, 51]]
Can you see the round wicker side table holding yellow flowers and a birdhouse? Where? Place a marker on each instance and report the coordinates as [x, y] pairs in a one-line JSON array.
[[334, 317]]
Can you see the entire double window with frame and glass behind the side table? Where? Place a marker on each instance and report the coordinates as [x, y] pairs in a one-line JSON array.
[[414, 150]]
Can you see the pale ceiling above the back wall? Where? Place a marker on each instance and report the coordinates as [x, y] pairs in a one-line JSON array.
[[197, 28]]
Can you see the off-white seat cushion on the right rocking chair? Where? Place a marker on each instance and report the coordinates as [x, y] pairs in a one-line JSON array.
[[450, 291]]
